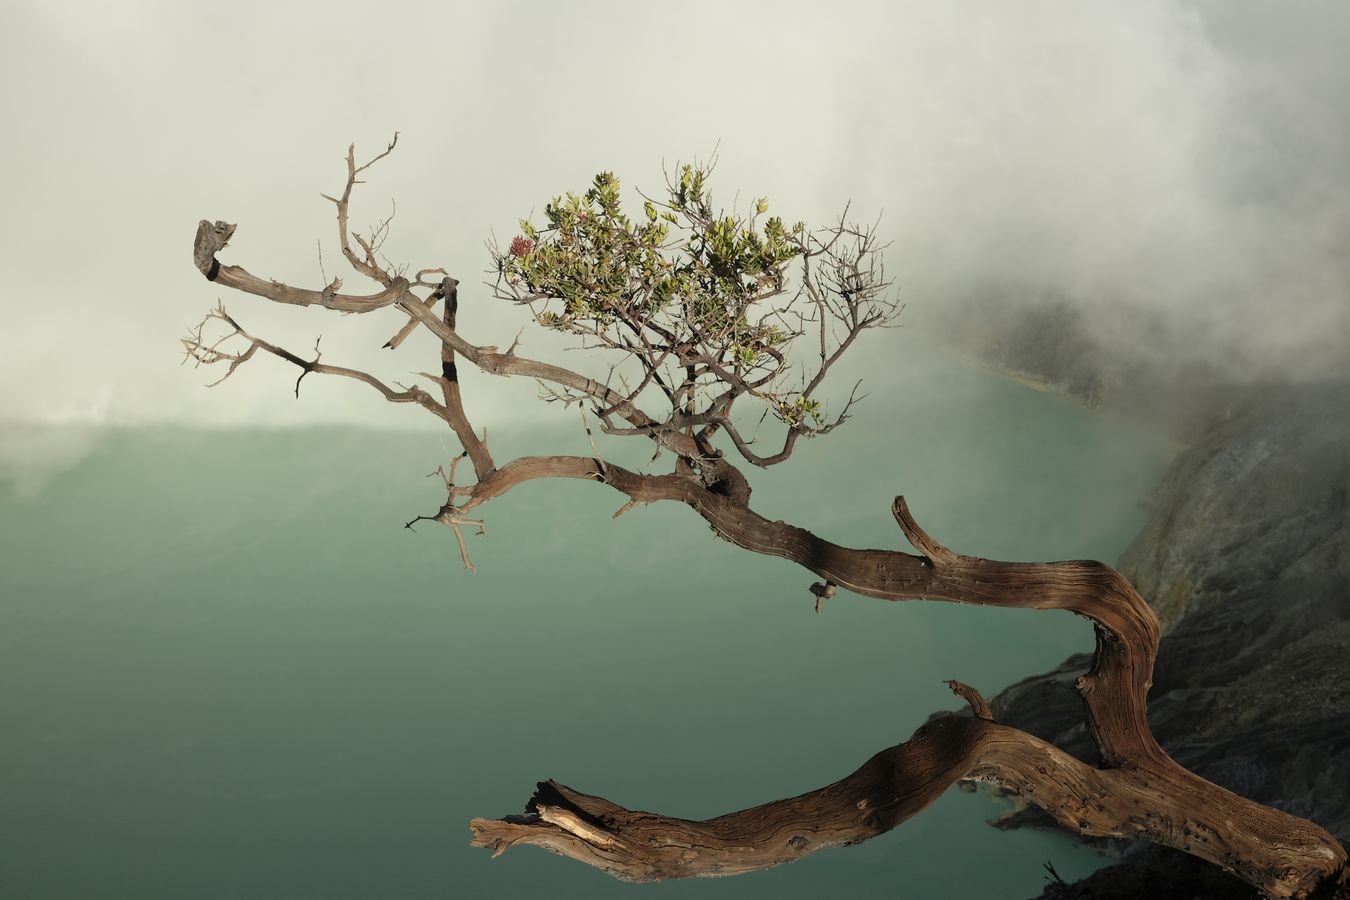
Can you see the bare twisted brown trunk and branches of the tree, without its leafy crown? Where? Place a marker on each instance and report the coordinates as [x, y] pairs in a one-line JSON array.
[[1139, 793]]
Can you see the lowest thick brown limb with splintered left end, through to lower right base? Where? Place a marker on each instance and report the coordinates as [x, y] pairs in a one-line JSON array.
[[1175, 809]]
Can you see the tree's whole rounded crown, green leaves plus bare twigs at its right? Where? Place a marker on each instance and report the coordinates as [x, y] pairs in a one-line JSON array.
[[696, 302]]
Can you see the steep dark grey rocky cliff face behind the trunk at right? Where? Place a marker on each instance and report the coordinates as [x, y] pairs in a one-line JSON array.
[[1247, 561]]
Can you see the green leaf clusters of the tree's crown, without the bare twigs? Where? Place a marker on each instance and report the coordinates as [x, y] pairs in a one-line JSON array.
[[682, 271]]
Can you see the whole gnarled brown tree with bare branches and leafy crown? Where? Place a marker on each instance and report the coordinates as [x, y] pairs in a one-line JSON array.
[[707, 318]]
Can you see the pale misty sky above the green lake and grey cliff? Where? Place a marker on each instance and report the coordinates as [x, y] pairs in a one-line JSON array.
[[1190, 159]]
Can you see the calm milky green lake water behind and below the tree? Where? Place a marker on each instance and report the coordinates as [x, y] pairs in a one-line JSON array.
[[227, 671]]
